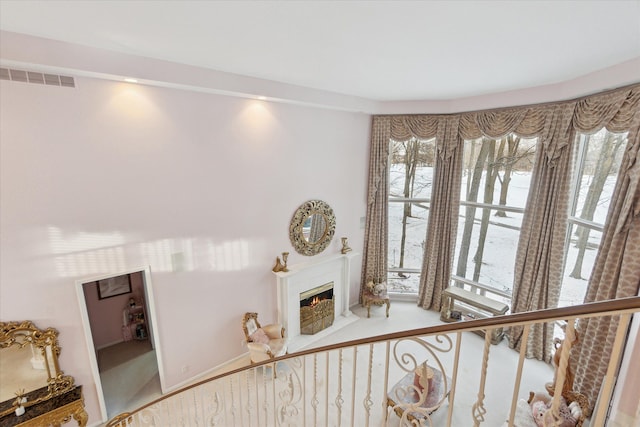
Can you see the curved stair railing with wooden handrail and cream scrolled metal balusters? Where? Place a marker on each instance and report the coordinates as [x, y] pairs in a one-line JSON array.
[[373, 381]]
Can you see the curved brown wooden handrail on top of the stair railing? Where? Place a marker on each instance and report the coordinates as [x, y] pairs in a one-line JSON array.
[[612, 307]]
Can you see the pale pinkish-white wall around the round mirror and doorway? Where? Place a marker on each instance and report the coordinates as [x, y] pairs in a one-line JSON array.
[[109, 177]]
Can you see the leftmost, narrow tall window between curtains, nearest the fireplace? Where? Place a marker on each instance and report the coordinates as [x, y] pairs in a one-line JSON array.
[[410, 178]]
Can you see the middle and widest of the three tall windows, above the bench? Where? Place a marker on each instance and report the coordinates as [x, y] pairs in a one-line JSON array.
[[495, 185]]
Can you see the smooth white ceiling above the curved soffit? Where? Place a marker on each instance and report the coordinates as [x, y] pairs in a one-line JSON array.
[[378, 50]]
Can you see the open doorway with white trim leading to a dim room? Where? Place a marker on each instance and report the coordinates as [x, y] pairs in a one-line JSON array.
[[119, 322]]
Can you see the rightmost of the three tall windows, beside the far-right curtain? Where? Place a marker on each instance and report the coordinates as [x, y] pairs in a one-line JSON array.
[[596, 166]]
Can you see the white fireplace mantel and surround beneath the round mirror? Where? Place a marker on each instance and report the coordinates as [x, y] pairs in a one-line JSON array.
[[307, 275]]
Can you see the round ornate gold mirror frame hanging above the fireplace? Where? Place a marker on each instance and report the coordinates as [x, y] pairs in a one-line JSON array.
[[306, 213]]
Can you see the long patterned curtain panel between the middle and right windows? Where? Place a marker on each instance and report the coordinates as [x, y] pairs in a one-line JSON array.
[[539, 259]]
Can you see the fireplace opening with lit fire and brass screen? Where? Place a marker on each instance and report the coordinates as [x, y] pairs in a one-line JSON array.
[[316, 309]]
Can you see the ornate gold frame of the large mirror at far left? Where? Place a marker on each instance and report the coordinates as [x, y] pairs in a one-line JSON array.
[[25, 333]]
